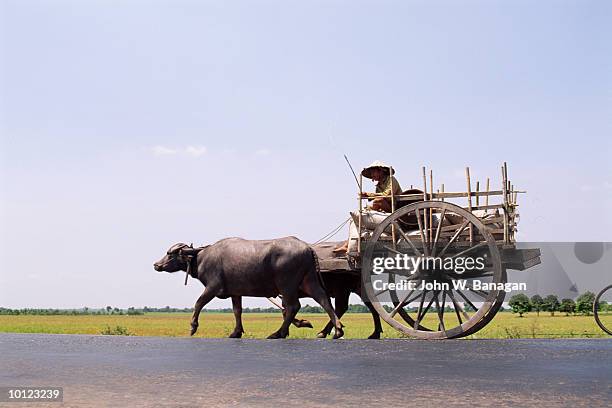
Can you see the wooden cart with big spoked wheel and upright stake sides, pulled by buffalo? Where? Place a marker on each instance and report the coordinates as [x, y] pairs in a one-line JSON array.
[[434, 298]]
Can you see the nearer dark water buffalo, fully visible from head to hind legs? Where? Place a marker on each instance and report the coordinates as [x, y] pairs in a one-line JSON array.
[[235, 267]]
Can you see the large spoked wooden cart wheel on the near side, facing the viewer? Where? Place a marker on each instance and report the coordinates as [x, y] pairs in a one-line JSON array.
[[442, 298]]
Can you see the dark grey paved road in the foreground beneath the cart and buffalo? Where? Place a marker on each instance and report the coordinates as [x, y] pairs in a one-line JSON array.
[[118, 371]]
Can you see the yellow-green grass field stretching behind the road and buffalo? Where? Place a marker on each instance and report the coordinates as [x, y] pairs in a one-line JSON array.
[[259, 325]]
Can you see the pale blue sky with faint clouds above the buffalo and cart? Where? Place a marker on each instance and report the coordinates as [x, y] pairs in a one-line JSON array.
[[127, 126]]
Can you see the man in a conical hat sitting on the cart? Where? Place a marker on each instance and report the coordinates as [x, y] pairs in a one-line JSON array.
[[386, 186]]
